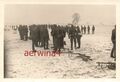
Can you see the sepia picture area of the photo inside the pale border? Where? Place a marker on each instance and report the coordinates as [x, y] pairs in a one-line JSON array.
[[60, 41]]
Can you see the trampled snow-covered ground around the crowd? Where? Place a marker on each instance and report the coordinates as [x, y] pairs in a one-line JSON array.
[[97, 46]]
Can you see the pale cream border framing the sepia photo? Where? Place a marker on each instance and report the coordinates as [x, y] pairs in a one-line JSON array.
[[92, 2]]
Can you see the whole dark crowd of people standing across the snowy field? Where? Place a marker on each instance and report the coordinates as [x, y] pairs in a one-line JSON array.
[[40, 36]]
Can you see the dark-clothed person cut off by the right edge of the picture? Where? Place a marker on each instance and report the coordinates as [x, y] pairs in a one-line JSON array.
[[113, 38]]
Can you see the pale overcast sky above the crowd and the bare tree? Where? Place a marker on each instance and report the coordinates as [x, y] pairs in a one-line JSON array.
[[60, 14]]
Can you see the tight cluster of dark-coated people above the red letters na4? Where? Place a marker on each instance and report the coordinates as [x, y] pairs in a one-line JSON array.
[[58, 34]]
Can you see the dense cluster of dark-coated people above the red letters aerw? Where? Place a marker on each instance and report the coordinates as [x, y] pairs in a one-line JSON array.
[[39, 36]]
